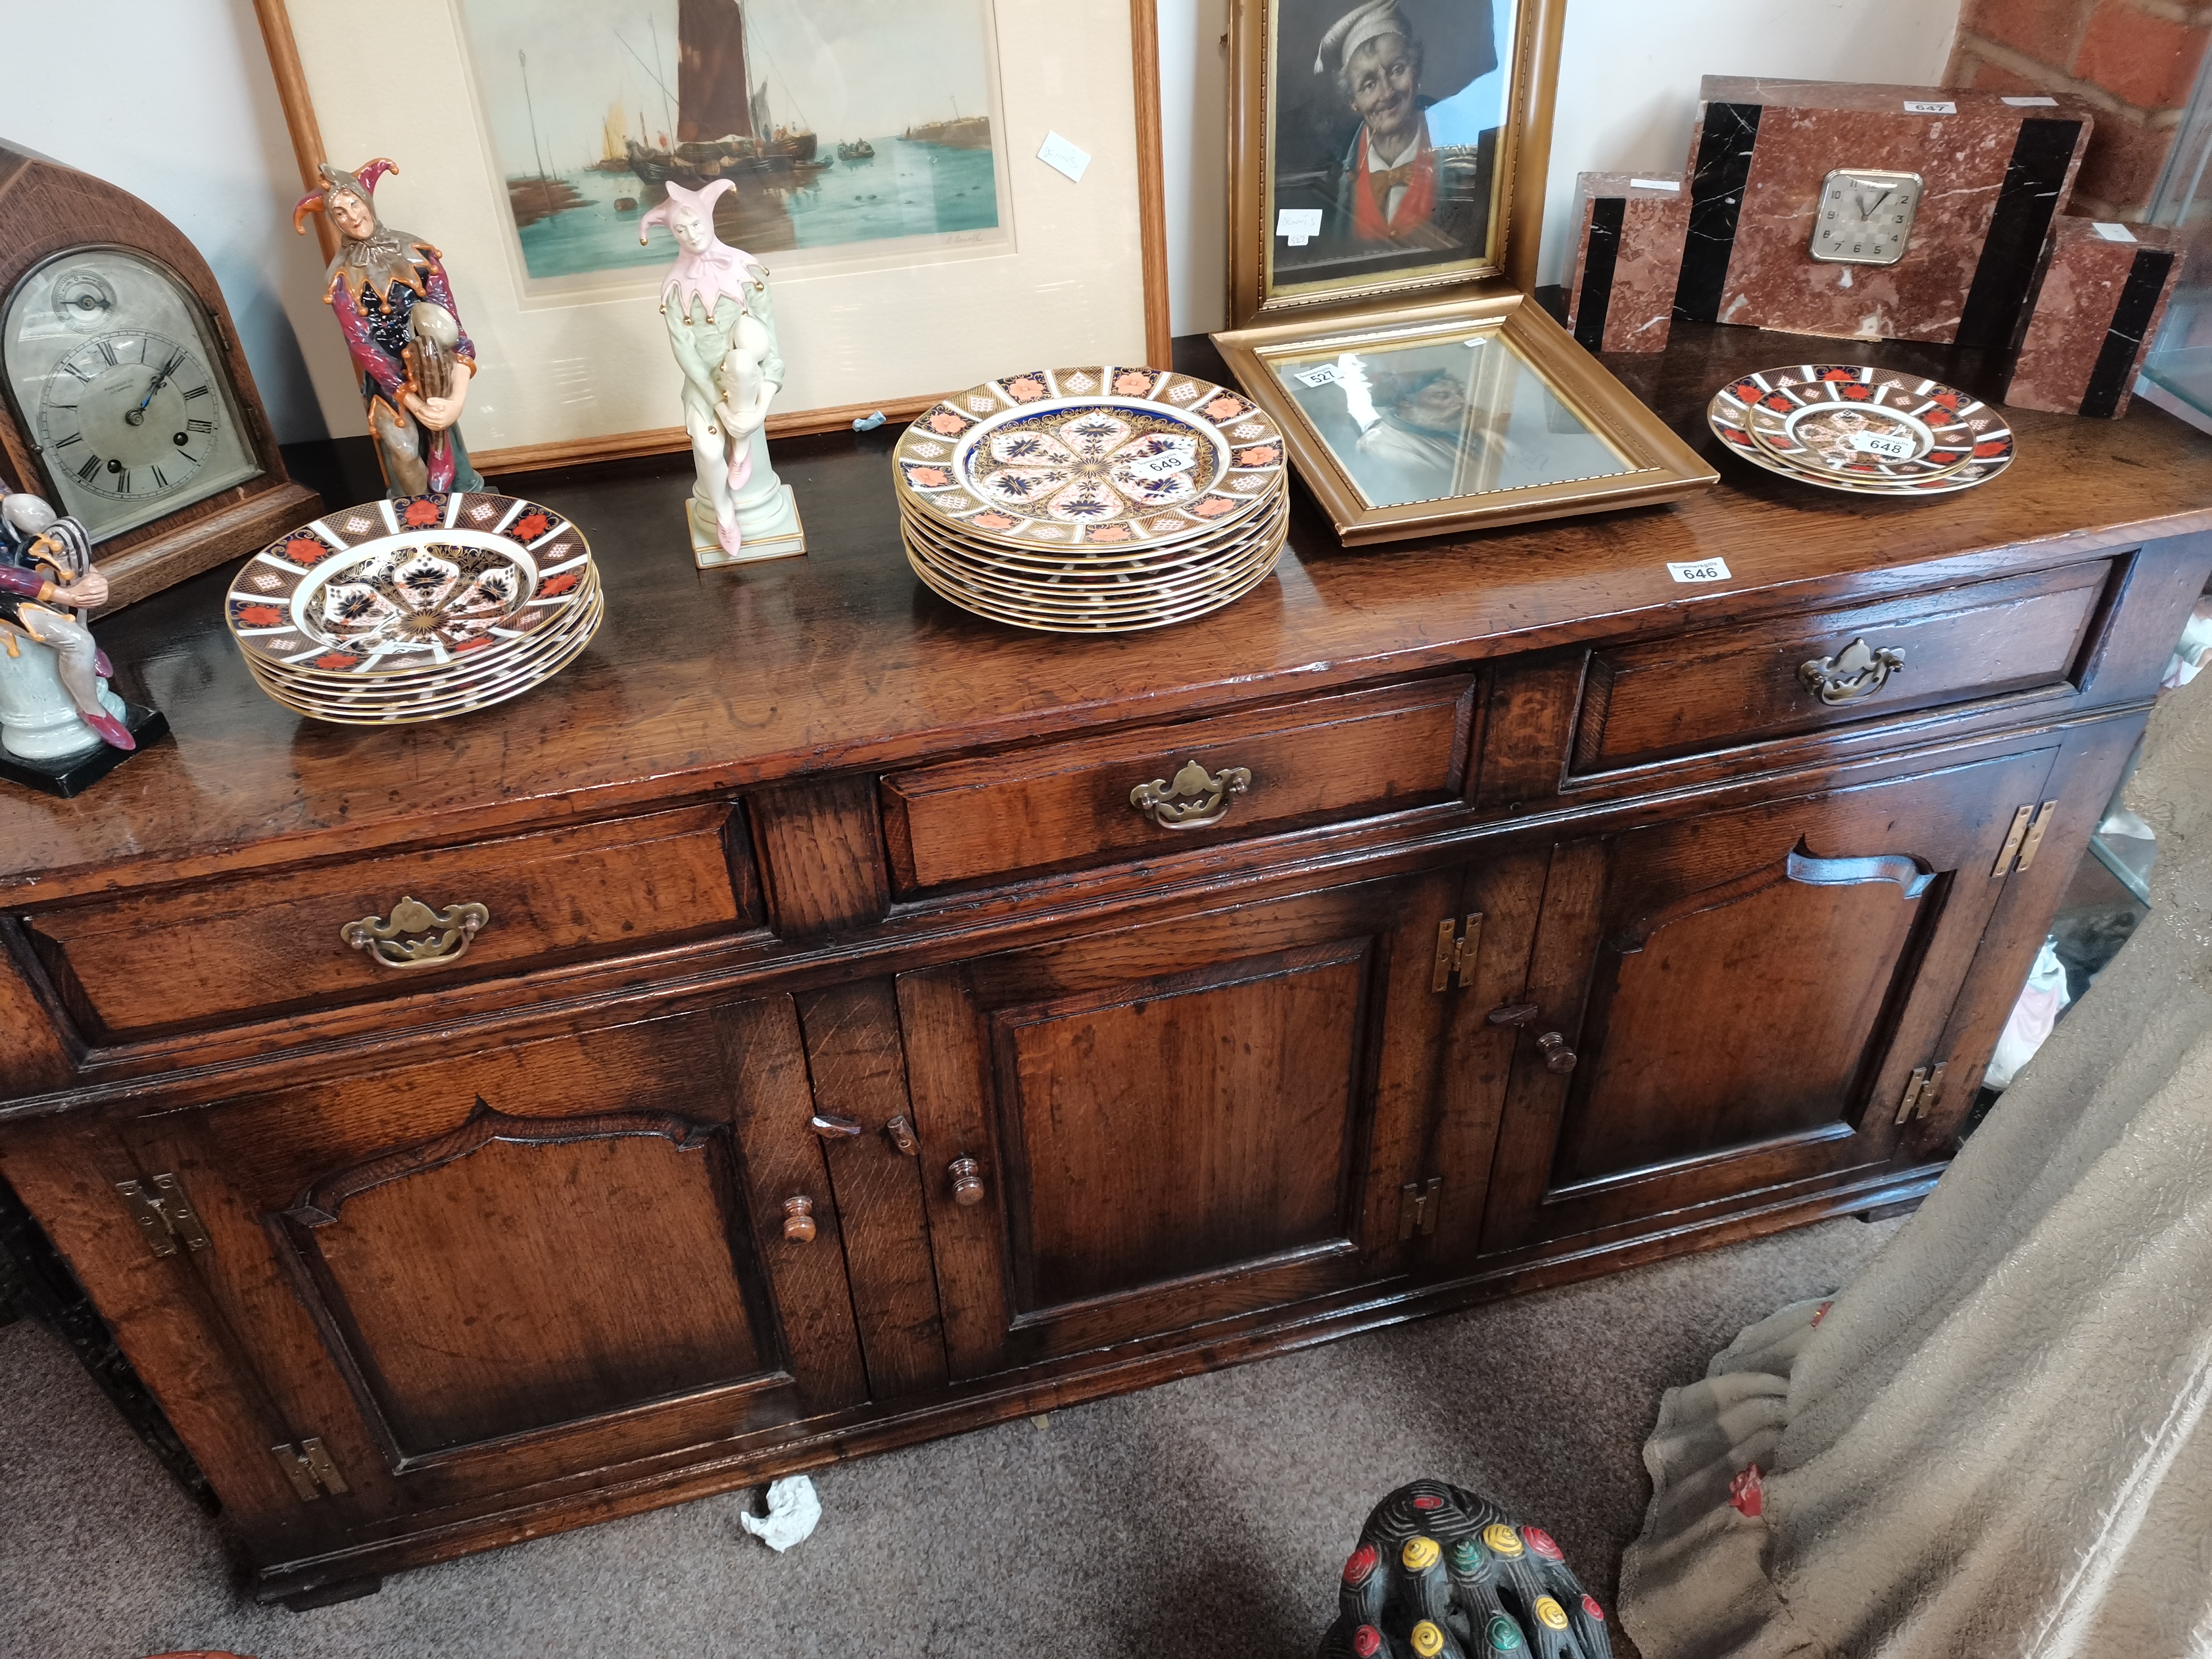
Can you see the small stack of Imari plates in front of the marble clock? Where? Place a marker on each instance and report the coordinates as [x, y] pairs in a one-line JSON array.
[[1870, 432]]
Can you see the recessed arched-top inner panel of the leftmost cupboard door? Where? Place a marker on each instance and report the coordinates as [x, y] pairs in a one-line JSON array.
[[563, 1242]]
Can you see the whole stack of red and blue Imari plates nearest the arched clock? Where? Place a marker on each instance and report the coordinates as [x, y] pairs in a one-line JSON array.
[[417, 609]]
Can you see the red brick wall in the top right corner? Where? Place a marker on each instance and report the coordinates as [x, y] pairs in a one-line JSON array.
[[2136, 61]]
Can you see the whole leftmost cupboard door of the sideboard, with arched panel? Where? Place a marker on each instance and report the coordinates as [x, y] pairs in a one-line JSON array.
[[528, 1264]]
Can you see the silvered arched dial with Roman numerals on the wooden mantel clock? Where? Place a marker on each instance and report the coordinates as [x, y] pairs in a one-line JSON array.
[[118, 384]]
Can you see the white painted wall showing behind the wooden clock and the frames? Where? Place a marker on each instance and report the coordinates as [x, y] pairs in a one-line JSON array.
[[194, 127]]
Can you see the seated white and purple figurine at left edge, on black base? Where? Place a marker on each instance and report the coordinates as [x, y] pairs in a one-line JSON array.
[[54, 696]]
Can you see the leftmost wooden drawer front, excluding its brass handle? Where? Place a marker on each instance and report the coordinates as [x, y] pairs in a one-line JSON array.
[[271, 943]]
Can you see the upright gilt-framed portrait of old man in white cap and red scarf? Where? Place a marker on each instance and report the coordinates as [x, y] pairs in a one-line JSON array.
[[1386, 147]]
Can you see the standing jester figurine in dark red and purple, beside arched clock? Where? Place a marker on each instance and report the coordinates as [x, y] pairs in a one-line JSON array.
[[395, 306]]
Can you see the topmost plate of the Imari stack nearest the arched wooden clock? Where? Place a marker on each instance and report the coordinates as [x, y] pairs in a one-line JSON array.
[[408, 587]]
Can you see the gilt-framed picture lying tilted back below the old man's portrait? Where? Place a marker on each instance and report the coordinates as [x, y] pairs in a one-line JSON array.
[[1457, 417]]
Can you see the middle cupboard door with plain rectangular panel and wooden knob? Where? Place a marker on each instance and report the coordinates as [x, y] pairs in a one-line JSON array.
[[1140, 1131]]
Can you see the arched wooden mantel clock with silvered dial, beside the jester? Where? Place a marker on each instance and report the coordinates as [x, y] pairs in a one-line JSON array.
[[125, 397]]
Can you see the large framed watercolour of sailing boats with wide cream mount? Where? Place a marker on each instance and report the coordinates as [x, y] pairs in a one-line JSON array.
[[886, 167]]
